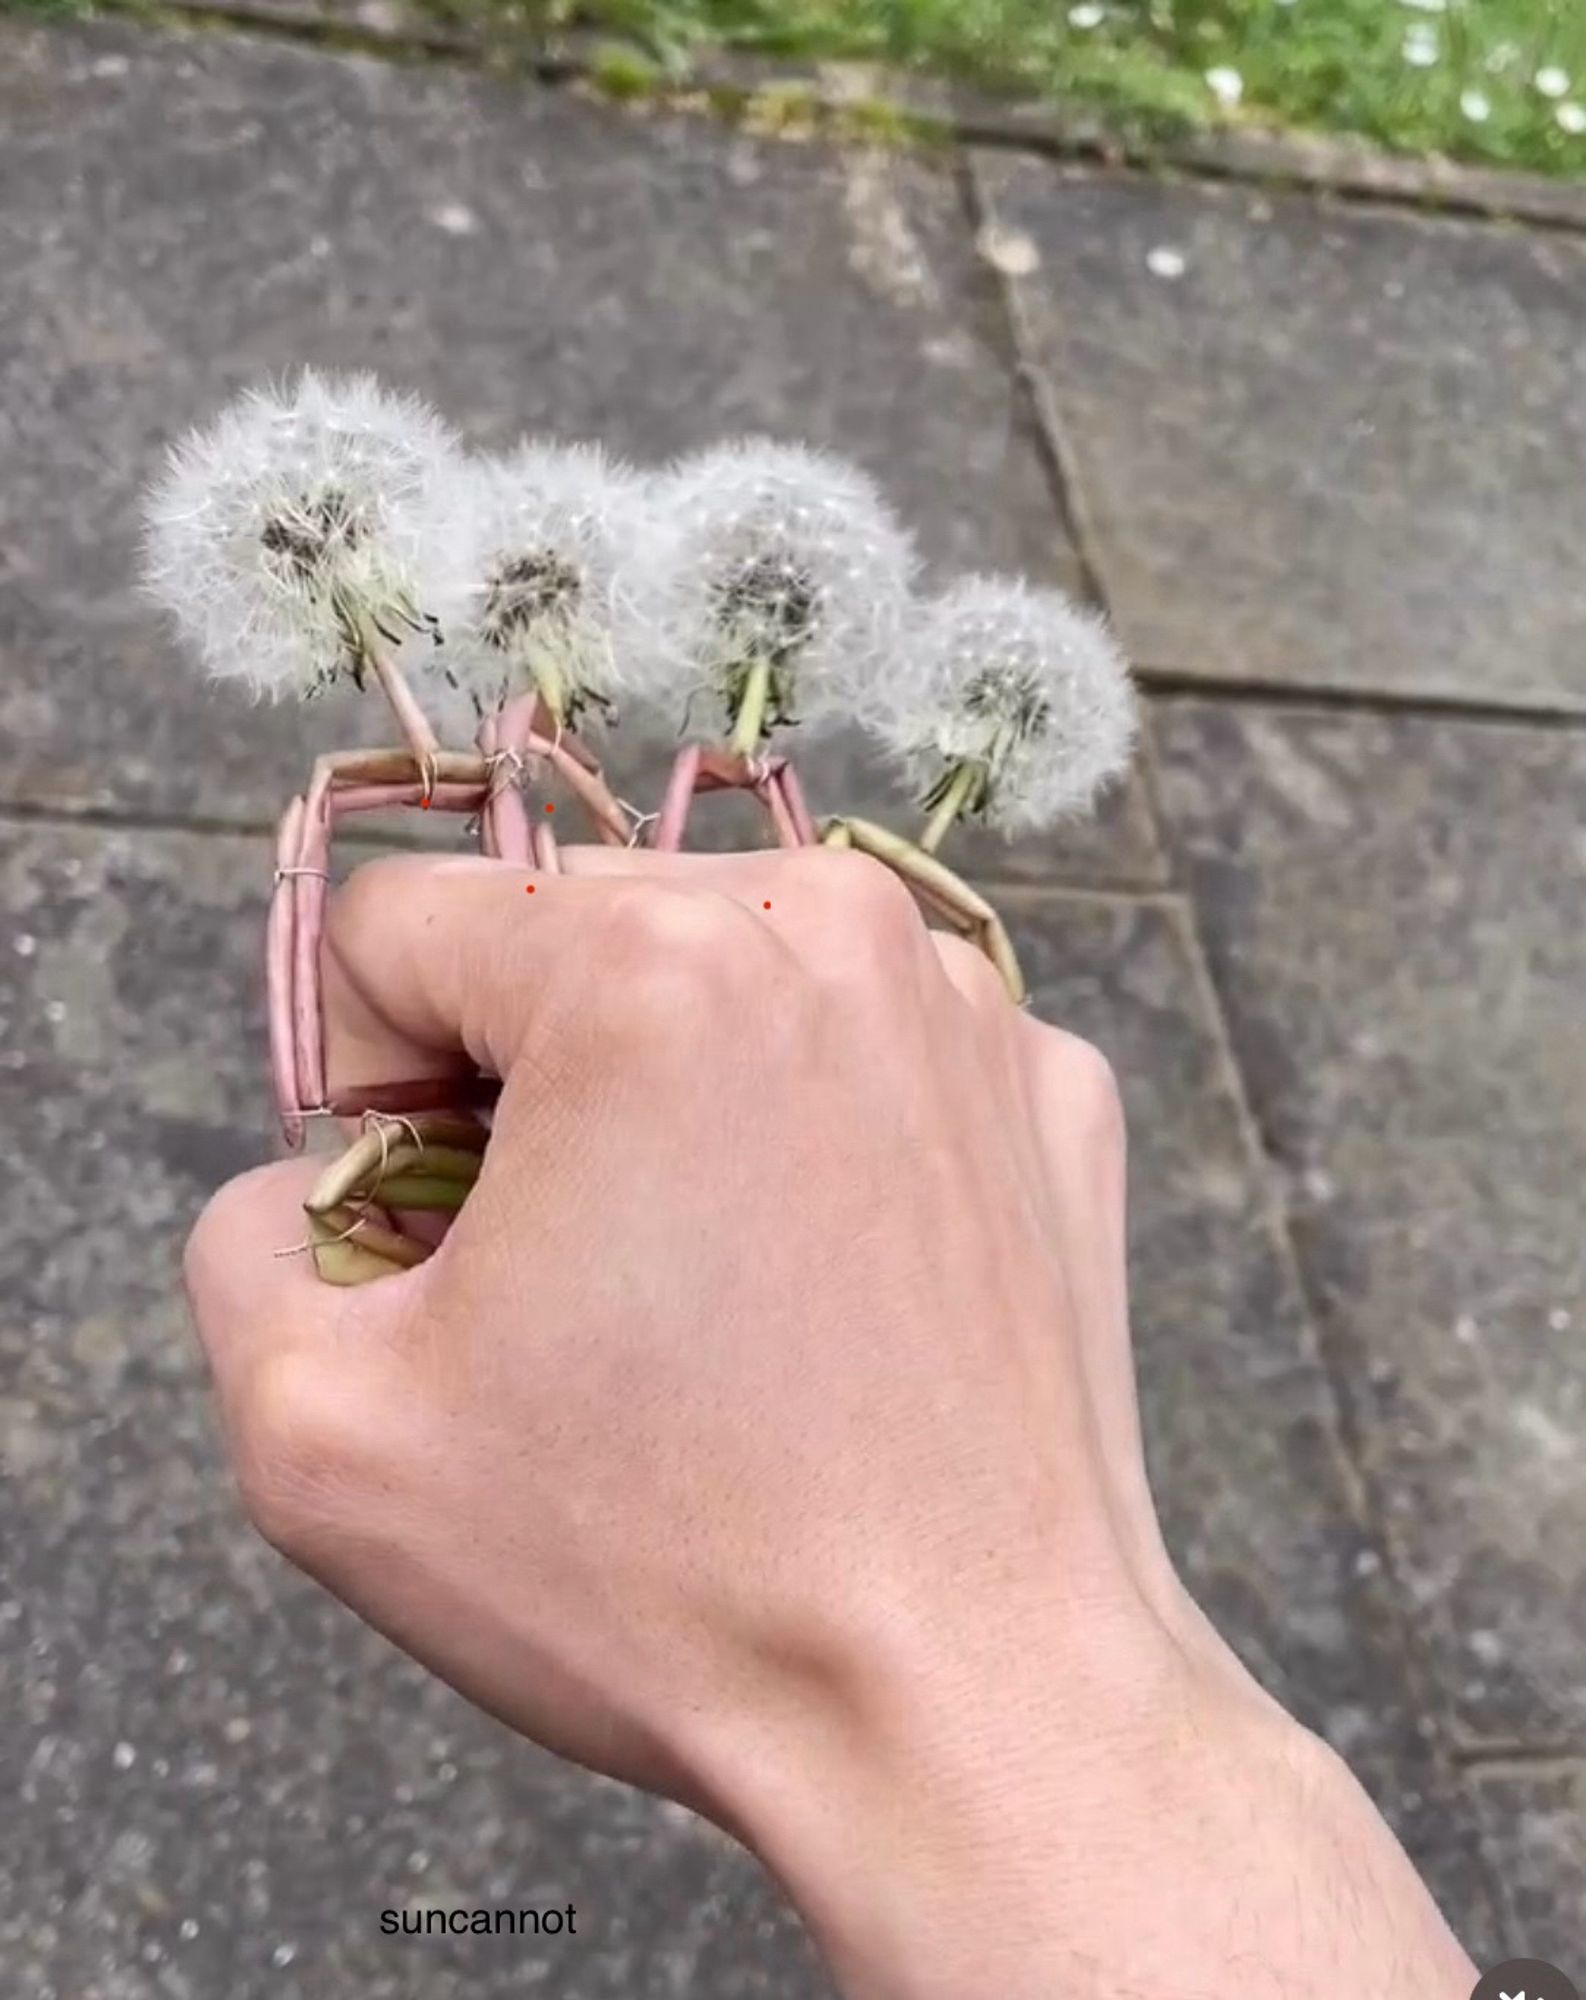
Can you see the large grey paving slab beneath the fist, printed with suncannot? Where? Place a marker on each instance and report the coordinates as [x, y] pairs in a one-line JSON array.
[[201, 1739]]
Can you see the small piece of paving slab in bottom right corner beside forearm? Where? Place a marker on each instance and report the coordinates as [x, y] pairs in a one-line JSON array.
[[1545, 1811]]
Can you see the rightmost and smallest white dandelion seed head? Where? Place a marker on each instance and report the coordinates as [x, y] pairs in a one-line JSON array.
[[1019, 685]]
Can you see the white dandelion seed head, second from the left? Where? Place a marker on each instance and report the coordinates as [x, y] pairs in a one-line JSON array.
[[535, 583]]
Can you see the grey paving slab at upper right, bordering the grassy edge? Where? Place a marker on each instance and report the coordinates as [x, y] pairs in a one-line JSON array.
[[1319, 445]]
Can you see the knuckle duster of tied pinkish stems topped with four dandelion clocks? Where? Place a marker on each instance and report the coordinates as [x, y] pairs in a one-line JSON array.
[[333, 535]]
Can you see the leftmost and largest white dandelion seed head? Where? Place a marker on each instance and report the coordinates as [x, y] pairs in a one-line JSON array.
[[295, 525]]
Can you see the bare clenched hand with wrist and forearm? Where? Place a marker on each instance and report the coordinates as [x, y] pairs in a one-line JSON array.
[[765, 1435]]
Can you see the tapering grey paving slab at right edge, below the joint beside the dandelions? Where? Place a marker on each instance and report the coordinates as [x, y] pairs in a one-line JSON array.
[[1395, 911]]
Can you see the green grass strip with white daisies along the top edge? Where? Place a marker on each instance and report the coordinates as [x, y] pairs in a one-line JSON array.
[[1319, 65]]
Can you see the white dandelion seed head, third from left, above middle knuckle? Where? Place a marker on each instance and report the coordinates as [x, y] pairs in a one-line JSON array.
[[769, 555]]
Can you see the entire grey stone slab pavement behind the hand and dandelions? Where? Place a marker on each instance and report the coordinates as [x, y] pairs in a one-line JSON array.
[[1323, 467]]
